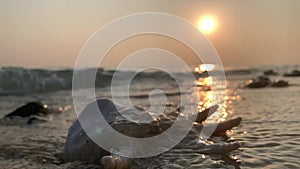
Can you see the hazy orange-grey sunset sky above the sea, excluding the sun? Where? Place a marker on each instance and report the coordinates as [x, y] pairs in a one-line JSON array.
[[47, 33]]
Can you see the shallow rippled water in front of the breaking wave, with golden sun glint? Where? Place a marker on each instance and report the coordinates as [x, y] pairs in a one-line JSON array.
[[269, 131]]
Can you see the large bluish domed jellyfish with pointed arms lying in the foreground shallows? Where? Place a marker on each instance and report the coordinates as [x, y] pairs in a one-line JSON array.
[[80, 147]]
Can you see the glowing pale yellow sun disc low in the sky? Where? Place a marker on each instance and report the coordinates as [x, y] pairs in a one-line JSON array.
[[207, 24]]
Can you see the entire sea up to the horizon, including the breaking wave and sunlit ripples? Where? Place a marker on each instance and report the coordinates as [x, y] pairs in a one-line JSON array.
[[269, 132]]
